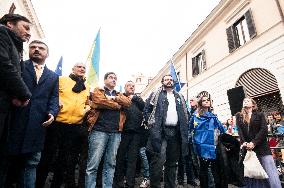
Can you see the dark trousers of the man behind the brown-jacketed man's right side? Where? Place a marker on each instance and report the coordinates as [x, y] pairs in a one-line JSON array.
[[126, 159]]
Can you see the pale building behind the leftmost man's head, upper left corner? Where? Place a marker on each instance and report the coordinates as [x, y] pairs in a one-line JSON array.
[[25, 8]]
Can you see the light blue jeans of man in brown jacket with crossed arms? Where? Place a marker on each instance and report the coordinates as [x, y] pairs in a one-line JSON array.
[[100, 142]]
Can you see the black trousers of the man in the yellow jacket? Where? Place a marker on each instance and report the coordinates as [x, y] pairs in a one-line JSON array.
[[73, 143]]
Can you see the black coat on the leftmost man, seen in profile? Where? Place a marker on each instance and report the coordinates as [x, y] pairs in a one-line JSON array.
[[11, 83]]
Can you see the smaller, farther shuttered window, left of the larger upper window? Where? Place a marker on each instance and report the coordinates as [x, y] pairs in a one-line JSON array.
[[199, 63]]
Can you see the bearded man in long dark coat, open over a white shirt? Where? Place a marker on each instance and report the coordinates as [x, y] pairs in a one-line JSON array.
[[167, 117]]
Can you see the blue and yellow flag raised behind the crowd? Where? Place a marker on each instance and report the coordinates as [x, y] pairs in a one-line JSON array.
[[93, 62]]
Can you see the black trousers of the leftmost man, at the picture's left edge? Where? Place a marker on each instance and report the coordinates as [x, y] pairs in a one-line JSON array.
[[4, 126]]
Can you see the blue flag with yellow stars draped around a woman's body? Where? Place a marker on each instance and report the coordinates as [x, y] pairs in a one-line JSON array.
[[205, 133]]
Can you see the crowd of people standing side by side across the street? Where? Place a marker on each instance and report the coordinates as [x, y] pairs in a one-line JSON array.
[[56, 124]]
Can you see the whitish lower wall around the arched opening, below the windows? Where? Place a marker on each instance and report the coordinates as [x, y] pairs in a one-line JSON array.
[[270, 57]]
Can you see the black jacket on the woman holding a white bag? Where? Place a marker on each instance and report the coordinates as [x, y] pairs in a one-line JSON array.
[[256, 132]]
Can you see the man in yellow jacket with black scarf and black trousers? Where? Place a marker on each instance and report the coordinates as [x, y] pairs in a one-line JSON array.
[[69, 135]]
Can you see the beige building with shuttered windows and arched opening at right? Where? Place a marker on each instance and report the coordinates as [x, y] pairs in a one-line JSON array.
[[237, 50]]
